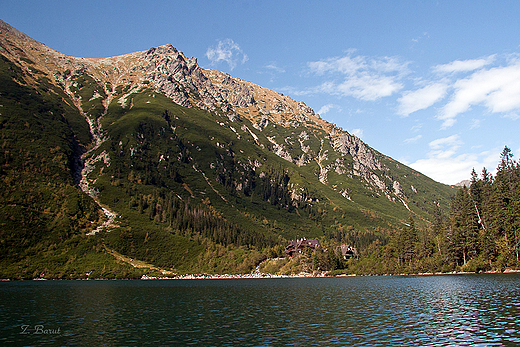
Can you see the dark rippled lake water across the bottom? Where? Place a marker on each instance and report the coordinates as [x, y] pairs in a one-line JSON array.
[[363, 311]]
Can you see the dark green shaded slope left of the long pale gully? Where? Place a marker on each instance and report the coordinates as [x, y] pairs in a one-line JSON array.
[[43, 216]]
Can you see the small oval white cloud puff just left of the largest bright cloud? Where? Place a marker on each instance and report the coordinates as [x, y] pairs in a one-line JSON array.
[[425, 97]]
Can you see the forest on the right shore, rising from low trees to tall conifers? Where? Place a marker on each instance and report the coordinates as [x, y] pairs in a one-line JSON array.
[[480, 233]]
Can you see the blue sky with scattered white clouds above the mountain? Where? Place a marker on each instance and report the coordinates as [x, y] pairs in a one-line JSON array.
[[433, 84]]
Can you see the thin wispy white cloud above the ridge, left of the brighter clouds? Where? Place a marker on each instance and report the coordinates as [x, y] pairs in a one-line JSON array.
[[364, 78]]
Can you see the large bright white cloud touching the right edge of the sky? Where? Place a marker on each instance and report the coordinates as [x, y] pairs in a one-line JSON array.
[[478, 83]]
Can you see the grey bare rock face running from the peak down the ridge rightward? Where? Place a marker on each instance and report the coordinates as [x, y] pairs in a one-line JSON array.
[[182, 80]]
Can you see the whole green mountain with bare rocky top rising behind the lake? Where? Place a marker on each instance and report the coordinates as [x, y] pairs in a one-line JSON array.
[[149, 156]]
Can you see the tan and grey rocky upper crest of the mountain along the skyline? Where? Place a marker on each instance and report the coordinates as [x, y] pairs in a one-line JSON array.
[[169, 71]]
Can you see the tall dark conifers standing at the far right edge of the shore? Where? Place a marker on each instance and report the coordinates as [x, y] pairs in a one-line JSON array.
[[485, 219]]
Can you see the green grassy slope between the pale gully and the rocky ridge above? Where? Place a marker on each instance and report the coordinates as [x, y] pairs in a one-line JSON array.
[[158, 146]]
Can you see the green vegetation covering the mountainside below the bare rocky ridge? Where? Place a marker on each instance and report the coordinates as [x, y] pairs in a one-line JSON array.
[[193, 191]]
